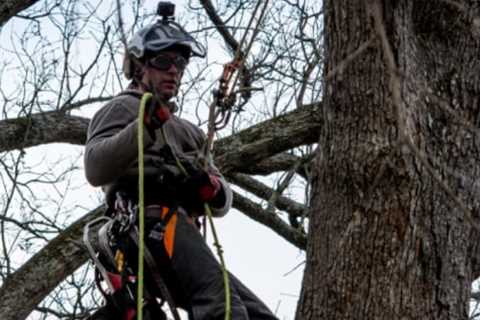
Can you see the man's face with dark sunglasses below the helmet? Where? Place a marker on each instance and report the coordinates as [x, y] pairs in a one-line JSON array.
[[164, 73]]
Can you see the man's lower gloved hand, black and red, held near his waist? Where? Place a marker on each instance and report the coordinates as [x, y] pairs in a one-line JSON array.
[[202, 187]]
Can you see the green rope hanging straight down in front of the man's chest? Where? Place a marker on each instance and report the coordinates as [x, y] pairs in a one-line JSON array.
[[141, 205]]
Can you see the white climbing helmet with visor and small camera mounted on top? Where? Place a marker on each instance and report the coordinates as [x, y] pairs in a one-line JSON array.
[[163, 34]]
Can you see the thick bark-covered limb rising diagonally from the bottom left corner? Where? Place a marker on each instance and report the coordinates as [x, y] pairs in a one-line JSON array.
[[27, 287]]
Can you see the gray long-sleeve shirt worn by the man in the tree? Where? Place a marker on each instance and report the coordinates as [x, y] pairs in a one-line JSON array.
[[111, 150]]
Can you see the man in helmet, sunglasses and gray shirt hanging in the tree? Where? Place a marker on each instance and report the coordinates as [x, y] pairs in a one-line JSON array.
[[155, 61]]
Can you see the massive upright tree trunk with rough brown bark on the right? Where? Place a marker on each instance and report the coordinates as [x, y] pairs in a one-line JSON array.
[[386, 241]]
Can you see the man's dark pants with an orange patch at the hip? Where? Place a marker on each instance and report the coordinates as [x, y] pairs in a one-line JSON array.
[[195, 278]]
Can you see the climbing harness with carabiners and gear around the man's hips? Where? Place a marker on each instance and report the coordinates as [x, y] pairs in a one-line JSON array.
[[117, 236]]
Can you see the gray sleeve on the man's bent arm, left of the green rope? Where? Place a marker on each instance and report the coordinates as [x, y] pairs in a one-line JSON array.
[[112, 143]]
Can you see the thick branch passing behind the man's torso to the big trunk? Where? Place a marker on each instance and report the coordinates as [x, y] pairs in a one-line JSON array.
[[262, 141]]
